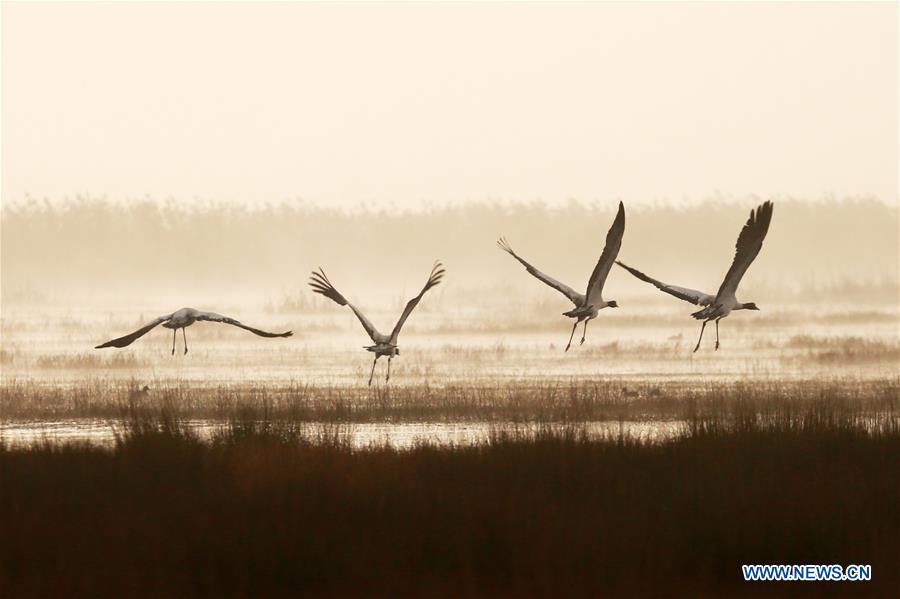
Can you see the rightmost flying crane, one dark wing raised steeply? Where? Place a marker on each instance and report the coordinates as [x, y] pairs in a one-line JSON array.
[[718, 306]]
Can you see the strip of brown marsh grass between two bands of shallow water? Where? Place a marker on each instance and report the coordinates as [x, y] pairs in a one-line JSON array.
[[520, 400]]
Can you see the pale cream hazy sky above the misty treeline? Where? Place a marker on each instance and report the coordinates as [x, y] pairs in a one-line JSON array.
[[402, 104]]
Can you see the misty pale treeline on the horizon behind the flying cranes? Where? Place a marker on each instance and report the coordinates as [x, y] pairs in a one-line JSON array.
[[107, 248]]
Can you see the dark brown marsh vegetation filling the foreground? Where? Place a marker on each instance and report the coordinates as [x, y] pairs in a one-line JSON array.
[[262, 510]]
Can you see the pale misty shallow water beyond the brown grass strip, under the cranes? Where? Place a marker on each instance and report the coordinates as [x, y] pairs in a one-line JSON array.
[[36, 349]]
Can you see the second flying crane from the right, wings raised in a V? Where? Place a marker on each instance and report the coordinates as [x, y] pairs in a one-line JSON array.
[[587, 305]]
